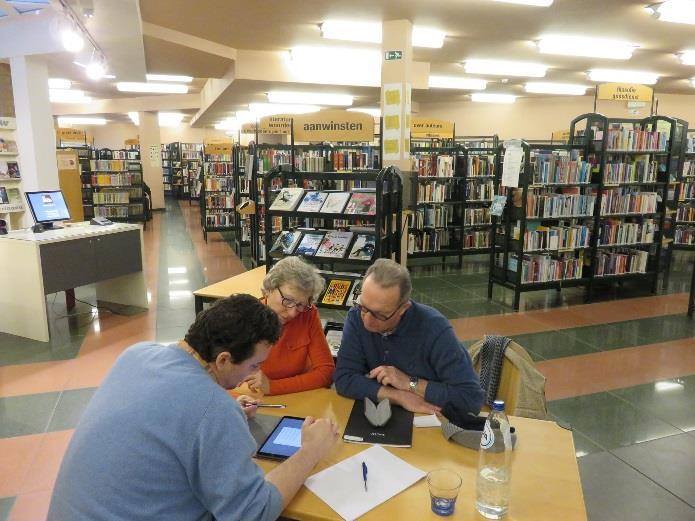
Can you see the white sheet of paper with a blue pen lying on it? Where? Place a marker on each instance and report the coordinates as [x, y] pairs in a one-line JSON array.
[[342, 487]]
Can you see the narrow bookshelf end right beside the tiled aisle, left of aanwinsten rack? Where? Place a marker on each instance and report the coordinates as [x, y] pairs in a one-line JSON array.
[[217, 191]]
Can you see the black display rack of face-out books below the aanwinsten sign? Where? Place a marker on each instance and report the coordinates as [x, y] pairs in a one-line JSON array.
[[322, 225]]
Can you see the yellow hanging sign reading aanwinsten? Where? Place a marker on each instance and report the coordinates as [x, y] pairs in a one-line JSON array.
[[334, 125]]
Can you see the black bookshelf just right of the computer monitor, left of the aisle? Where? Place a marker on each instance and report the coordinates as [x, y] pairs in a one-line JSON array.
[[116, 185]]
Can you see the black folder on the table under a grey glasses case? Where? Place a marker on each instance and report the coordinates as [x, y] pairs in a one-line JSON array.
[[398, 431]]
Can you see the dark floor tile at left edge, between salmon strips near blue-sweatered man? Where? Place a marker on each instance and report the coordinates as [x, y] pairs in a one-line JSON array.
[[30, 414]]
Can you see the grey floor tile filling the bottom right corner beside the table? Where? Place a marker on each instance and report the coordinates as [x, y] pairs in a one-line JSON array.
[[615, 492]]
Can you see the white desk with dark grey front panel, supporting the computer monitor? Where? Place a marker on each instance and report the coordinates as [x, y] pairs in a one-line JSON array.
[[33, 265]]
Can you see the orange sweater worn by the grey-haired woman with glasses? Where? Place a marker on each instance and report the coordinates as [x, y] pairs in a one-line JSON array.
[[300, 360]]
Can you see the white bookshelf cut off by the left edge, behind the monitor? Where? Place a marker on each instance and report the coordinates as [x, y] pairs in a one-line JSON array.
[[11, 196]]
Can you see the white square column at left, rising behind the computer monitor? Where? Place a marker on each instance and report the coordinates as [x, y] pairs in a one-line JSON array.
[[35, 133]]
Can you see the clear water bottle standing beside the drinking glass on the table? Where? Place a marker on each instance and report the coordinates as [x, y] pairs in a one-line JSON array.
[[494, 465]]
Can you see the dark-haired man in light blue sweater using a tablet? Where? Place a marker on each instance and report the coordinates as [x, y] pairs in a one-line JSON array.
[[162, 439]]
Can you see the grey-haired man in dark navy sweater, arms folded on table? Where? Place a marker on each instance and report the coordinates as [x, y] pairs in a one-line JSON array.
[[407, 352]]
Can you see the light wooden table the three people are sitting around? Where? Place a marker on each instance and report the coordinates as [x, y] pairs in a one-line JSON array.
[[545, 476]]
